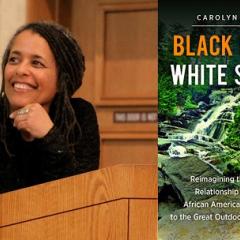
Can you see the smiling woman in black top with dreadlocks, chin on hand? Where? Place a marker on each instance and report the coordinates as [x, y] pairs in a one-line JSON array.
[[44, 133]]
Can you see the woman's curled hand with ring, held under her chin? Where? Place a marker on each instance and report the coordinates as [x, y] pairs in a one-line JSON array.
[[32, 120]]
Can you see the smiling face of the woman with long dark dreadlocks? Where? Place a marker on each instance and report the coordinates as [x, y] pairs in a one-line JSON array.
[[30, 73]]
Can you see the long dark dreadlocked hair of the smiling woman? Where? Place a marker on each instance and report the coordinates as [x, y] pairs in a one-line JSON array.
[[70, 65]]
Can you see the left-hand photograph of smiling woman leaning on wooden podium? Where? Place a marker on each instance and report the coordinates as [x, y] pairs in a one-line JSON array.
[[78, 119]]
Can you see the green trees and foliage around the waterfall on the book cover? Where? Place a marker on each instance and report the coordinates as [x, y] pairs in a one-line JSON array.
[[175, 99]]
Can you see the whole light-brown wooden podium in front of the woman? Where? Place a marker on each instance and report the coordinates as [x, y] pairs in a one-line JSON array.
[[114, 203]]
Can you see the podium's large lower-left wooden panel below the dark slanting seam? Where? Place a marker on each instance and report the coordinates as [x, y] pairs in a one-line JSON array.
[[104, 221]]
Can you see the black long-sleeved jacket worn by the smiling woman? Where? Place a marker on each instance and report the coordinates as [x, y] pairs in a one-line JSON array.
[[49, 158]]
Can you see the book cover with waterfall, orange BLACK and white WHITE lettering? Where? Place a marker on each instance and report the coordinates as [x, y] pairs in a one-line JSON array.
[[199, 120]]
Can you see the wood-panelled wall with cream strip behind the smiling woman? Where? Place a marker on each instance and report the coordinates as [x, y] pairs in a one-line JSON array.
[[119, 40]]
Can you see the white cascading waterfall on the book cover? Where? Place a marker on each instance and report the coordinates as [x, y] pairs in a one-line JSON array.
[[205, 139]]
